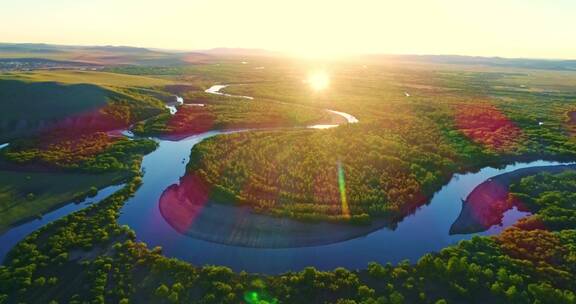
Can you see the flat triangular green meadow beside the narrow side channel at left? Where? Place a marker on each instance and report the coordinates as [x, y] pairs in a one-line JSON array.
[[25, 195]]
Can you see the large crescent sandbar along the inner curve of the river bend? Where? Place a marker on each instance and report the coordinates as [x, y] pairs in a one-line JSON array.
[[189, 209]]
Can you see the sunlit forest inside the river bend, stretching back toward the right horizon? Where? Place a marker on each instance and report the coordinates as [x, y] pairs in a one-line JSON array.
[[404, 149]]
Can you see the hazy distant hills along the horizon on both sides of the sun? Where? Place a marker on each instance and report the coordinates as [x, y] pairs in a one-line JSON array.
[[127, 55]]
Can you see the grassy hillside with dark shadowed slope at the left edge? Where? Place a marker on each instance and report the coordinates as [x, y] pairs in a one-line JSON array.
[[36, 102]]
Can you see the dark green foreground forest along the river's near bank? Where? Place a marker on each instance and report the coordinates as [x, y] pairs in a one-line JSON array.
[[102, 262]]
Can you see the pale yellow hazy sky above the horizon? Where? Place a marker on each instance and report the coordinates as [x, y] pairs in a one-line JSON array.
[[512, 28]]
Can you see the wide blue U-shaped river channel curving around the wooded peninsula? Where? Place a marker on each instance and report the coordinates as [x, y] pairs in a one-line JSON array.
[[424, 231]]
